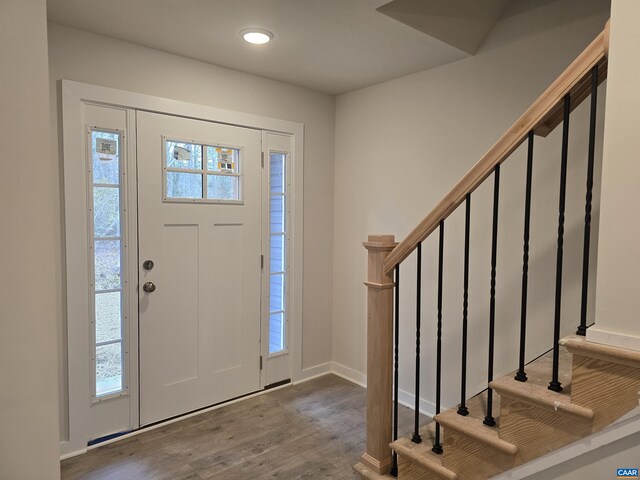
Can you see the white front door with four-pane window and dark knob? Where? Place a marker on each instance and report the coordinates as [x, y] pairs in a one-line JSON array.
[[199, 222]]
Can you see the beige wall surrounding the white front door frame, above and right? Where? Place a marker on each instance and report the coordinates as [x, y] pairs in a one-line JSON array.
[[99, 60]]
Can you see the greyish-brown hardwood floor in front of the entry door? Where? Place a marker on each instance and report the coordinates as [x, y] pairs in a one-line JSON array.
[[313, 430]]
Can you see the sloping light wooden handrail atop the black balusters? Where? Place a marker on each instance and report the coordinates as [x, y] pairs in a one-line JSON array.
[[541, 117]]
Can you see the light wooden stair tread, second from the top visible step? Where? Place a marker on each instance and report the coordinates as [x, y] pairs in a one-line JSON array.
[[540, 396]]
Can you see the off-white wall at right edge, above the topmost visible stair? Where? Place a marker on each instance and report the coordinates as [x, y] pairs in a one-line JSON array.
[[618, 279]]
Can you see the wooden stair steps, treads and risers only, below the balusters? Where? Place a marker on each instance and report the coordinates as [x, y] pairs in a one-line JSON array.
[[602, 383]]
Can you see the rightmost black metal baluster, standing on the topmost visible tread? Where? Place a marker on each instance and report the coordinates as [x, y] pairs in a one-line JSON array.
[[582, 328]]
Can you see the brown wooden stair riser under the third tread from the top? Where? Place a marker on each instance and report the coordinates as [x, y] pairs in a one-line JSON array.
[[472, 459]]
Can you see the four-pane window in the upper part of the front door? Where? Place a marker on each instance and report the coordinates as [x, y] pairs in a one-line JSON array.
[[201, 172]]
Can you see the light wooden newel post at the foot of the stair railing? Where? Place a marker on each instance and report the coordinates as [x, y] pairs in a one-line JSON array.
[[377, 455]]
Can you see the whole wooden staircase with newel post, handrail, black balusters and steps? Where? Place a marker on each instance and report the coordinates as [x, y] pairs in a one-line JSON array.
[[514, 421]]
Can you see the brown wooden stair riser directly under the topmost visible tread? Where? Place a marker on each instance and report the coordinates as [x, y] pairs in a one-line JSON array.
[[609, 389]]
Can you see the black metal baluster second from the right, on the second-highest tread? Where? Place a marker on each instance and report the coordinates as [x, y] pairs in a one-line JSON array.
[[554, 384]]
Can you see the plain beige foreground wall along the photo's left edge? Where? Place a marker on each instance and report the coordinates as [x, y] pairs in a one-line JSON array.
[[28, 240]]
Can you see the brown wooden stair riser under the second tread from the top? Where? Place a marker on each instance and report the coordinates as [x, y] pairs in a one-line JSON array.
[[536, 430]]
